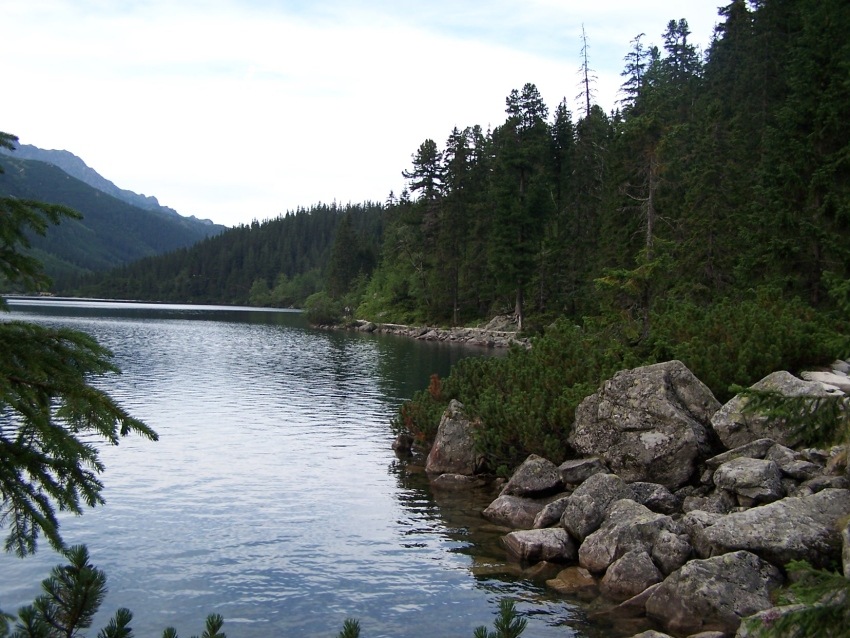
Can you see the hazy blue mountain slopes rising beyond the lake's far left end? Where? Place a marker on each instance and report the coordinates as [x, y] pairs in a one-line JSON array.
[[112, 232]]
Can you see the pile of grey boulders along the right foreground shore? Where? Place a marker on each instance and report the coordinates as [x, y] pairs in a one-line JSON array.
[[676, 513]]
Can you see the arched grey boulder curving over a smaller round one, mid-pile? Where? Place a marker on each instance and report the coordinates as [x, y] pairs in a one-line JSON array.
[[630, 526]]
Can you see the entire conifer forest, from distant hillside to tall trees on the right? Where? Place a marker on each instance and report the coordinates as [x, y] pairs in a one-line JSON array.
[[716, 174]]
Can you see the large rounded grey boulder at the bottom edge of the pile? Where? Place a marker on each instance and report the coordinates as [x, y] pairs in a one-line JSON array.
[[714, 594]]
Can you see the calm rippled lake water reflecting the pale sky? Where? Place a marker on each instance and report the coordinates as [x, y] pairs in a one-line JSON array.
[[273, 497]]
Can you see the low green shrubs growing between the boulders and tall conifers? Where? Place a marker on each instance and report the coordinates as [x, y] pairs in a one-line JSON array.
[[526, 401]]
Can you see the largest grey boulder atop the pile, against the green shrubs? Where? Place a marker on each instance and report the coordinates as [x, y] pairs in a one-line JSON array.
[[648, 424]]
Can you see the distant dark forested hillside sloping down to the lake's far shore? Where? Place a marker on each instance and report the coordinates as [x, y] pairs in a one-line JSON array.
[[279, 262]]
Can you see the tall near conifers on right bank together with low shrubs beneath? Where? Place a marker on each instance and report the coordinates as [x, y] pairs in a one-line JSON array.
[[706, 220]]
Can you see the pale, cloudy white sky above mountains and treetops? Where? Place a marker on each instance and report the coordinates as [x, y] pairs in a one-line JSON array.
[[236, 110]]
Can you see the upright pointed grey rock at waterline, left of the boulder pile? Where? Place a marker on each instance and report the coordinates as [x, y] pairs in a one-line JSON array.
[[453, 451]]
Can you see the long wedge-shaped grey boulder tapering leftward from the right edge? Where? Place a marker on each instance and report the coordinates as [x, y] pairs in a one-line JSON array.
[[791, 529]]
